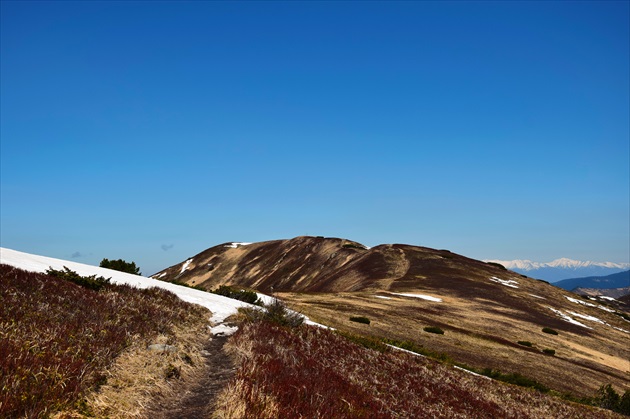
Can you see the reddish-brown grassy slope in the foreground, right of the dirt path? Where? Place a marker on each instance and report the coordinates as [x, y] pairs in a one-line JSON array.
[[312, 372]]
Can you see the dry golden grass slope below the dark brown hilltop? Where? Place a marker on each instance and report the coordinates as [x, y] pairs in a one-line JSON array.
[[484, 334]]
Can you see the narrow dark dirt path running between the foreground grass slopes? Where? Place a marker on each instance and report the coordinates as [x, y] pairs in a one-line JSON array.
[[197, 399]]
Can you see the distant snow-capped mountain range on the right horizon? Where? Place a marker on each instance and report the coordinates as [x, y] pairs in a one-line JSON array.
[[562, 268]]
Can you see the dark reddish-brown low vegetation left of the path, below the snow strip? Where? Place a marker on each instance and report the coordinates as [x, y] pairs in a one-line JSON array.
[[59, 335]]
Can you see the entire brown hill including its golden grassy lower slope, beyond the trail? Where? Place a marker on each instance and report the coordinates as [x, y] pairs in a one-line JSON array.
[[484, 310]]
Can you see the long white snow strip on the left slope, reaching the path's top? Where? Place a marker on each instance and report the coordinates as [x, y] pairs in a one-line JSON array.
[[221, 307]]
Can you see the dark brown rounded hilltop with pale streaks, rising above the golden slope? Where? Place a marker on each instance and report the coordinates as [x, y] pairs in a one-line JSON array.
[[317, 264]]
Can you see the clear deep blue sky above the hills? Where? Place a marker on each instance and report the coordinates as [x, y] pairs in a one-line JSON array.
[[150, 131]]
